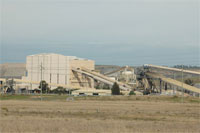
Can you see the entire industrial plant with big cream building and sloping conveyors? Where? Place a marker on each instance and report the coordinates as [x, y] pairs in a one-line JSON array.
[[79, 75]]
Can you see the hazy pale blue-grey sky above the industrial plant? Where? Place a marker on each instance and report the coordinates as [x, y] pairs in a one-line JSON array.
[[111, 32]]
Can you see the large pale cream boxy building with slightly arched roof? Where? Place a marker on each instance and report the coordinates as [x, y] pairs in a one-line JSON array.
[[57, 69]]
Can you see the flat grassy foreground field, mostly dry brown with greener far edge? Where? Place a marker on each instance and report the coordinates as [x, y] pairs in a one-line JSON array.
[[99, 114]]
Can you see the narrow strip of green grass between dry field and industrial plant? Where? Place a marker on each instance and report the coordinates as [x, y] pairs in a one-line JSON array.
[[55, 97]]
